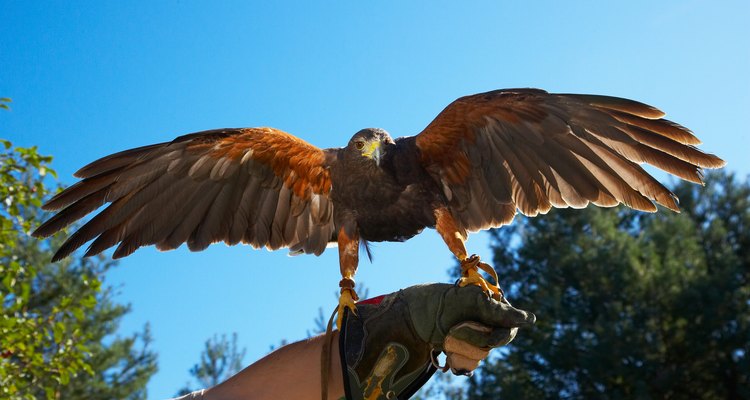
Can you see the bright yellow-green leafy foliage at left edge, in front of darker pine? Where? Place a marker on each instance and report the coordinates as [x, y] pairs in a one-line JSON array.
[[39, 342]]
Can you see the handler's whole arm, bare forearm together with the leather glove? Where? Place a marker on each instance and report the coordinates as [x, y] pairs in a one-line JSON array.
[[389, 347]]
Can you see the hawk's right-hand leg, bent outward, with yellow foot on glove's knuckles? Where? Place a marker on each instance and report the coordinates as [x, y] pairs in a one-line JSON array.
[[470, 265]]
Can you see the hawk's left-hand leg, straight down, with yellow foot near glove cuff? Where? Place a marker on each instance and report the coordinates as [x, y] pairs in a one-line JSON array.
[[348, 259]]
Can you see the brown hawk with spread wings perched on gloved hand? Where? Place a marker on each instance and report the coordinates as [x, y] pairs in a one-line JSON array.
[[484, 158]]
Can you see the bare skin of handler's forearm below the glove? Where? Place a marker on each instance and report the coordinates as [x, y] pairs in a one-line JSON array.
[[291, 372]]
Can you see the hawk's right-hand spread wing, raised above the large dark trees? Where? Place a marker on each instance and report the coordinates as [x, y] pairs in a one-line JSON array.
[[530, 150]]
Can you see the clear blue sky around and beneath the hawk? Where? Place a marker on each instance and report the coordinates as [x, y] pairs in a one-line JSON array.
[[92, 78]]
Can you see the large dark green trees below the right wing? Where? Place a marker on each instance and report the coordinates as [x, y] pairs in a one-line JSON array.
[[629, 305]]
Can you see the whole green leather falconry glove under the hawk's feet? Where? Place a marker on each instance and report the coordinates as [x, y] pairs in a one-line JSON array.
[[389, 349]]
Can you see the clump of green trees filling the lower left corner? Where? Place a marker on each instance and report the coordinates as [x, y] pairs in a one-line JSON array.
[[57, 321]]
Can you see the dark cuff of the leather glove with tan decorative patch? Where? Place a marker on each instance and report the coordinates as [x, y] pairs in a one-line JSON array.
[[400, 368]]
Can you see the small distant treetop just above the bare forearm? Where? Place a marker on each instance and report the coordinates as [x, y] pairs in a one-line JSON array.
[[220, 360]]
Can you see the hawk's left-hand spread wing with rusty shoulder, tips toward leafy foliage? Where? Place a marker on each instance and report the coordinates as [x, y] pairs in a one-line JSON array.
[[259, 186]]
